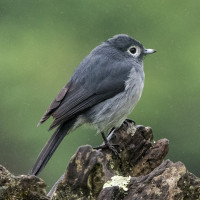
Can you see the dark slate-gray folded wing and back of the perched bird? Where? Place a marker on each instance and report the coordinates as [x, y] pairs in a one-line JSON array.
[[96, 79]]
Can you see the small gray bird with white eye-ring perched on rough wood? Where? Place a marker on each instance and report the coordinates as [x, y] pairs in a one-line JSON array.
[[103, 90]]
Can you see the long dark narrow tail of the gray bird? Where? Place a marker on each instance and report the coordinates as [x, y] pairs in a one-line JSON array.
[[51, 146]]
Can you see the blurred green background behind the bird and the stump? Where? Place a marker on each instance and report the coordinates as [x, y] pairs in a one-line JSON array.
[[42, 42]]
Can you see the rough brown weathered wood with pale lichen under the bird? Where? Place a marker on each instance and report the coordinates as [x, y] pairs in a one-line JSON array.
[[138, 172]]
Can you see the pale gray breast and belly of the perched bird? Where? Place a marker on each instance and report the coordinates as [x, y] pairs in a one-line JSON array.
[[112, 112]]
